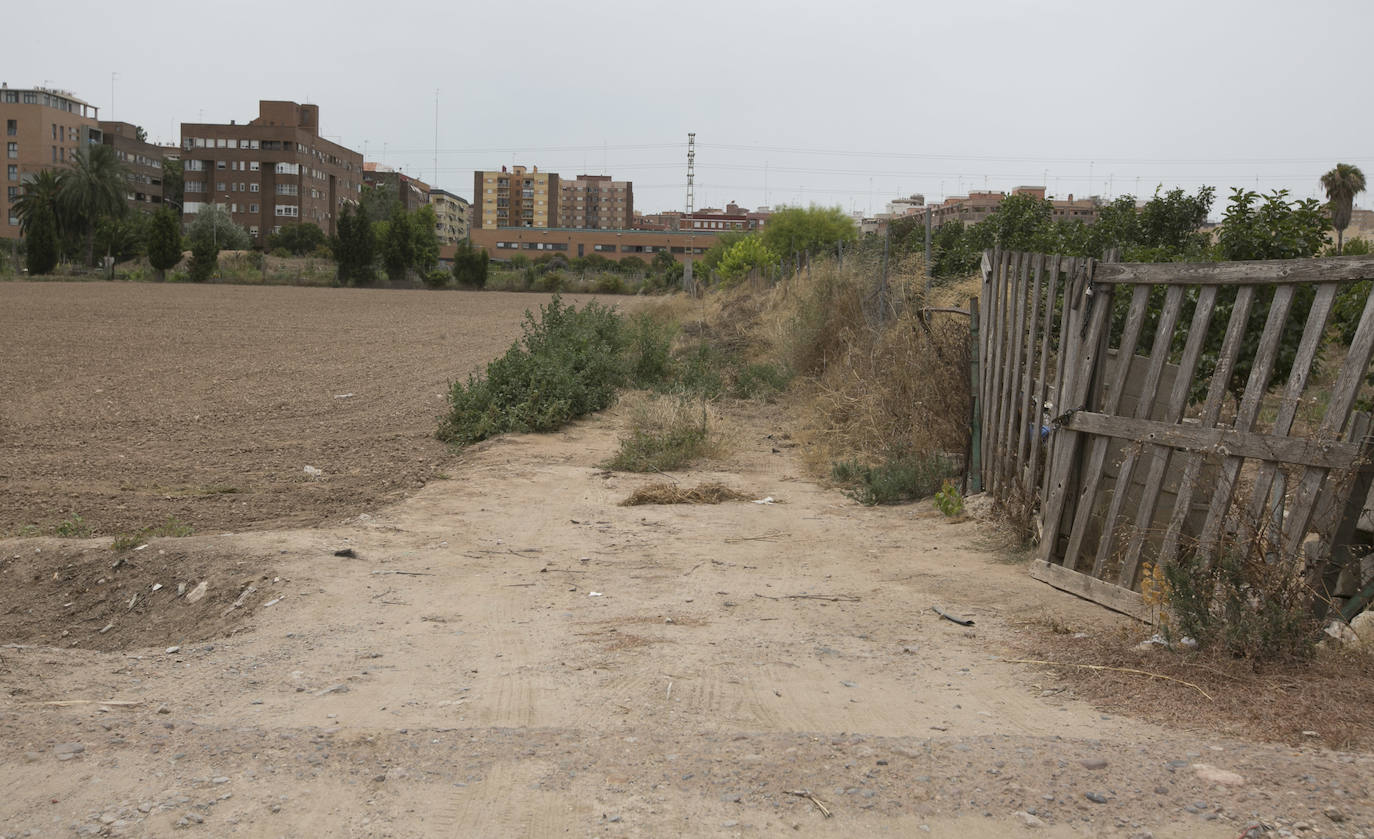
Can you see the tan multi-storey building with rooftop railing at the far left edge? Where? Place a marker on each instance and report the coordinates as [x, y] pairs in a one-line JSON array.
[[43, 130]]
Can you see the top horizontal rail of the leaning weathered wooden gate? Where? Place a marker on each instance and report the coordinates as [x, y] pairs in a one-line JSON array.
[[1269, 273]]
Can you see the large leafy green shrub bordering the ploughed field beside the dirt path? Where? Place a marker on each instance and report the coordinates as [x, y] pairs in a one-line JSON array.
[[568, 365]]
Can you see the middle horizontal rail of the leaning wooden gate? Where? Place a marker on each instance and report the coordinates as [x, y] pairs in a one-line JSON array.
[[1302, 451]]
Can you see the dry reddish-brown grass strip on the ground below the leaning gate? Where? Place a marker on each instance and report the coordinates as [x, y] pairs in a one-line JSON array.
[[1277, 702]]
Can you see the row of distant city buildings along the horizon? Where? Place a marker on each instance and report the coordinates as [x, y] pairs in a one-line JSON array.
[[277, 170]]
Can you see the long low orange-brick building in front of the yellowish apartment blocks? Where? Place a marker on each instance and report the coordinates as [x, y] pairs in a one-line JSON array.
[[571, 244]]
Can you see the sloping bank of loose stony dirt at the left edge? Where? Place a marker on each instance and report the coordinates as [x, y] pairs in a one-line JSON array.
[[90, 597]]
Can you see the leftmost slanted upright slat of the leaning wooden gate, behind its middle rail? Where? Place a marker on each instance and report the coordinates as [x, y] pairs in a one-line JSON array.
[[1083, 356]]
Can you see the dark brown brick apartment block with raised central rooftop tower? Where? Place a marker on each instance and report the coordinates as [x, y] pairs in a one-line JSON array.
[[273, 171]]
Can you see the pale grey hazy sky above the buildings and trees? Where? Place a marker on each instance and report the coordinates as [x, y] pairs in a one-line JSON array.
[[793, 102]]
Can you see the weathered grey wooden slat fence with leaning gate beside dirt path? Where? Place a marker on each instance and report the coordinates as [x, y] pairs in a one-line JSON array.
[[1133, 450]]
